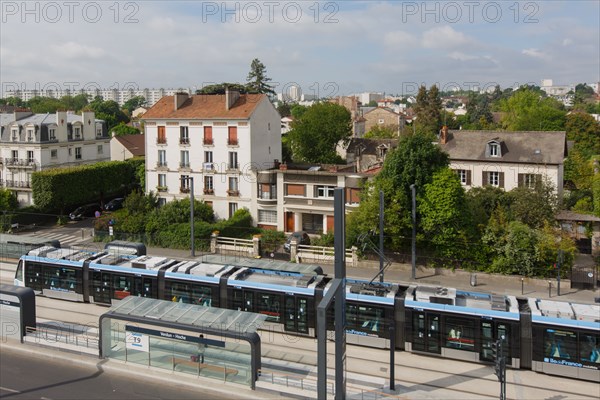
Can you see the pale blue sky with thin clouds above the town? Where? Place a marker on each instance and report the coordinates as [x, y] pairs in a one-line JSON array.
[[326, 48]]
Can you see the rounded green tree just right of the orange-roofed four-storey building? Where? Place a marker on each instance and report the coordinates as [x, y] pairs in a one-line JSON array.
[[315, 136]]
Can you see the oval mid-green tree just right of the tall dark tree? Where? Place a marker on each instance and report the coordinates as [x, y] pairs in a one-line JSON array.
[[445, 218]]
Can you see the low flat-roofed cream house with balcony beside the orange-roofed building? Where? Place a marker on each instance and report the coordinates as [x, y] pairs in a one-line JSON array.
[[300, 198]]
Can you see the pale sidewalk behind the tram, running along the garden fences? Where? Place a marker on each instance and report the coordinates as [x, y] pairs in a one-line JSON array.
[[488, 283]]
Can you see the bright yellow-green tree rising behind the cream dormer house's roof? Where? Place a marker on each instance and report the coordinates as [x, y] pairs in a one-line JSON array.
[[528, 110]]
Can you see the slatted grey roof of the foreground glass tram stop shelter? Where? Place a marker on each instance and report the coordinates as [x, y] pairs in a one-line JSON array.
[[224, 320]]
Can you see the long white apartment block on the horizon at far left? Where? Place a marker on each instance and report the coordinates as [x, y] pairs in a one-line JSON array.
[[121, 96]]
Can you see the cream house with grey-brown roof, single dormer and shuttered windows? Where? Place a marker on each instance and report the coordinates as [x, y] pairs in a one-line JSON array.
[[506, 159]]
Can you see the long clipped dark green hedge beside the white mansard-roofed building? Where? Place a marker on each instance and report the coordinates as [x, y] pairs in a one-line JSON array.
[[59, 188]]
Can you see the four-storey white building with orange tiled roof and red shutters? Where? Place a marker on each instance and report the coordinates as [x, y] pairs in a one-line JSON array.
[[219, 141]]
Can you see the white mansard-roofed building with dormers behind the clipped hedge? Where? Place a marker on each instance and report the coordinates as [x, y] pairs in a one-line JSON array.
[[35, 142]]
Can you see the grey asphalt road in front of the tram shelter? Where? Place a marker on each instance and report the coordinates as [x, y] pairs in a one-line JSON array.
[[26, 375]]
